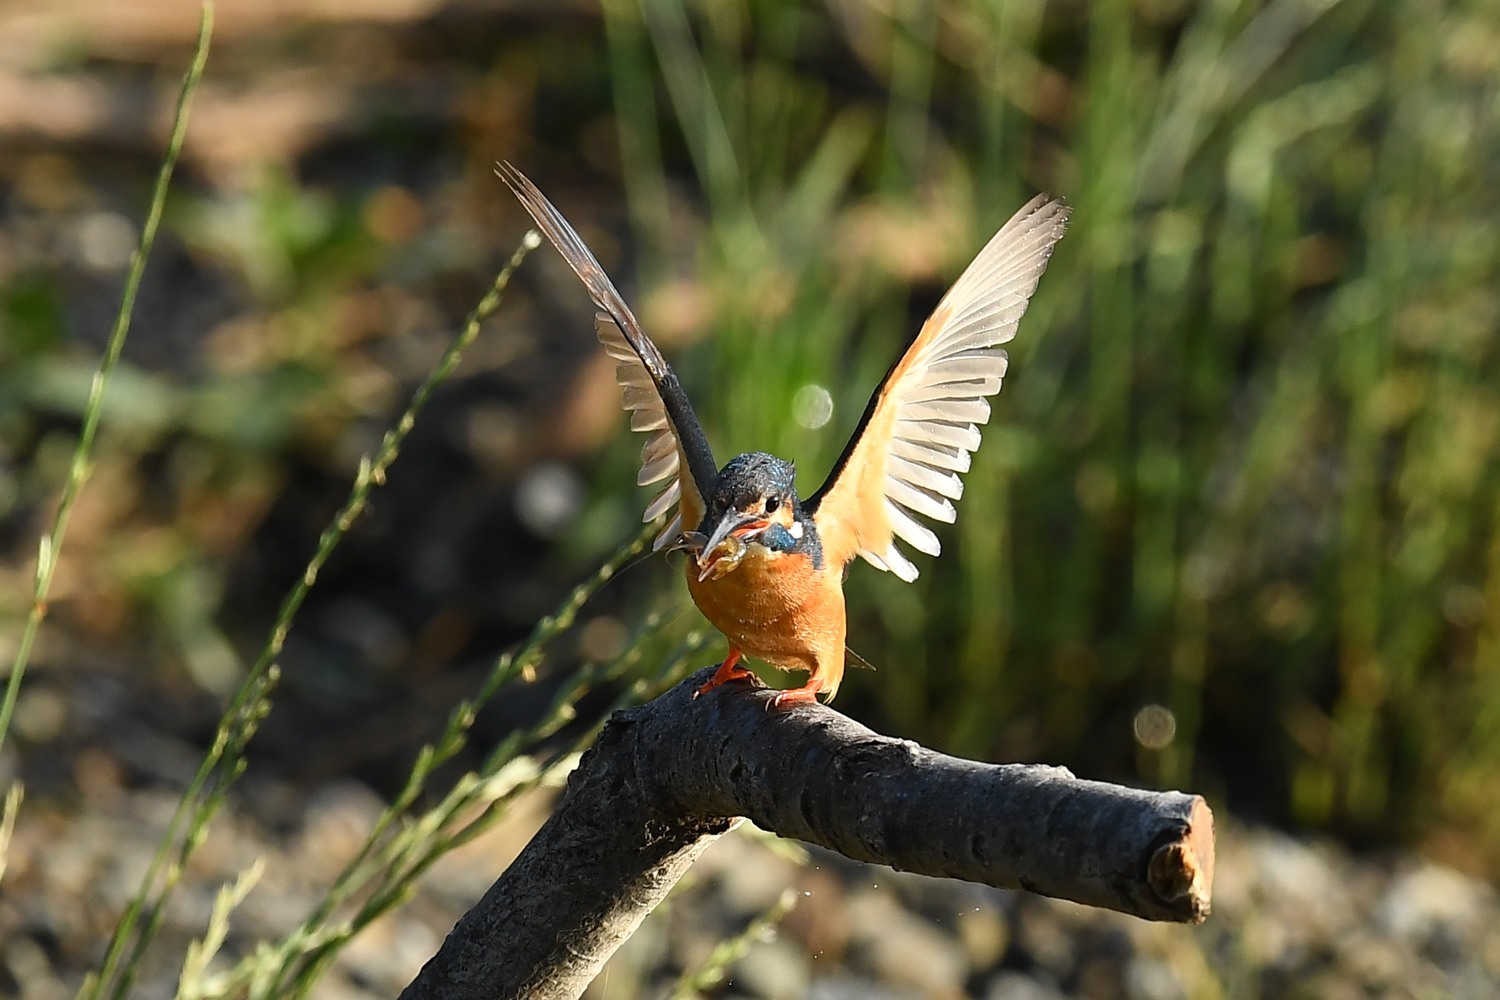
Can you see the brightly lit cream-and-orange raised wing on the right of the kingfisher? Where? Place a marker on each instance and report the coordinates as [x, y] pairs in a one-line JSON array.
[[922, 424]]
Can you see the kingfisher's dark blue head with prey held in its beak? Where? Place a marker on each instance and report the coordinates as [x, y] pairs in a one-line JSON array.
[[751, 496]]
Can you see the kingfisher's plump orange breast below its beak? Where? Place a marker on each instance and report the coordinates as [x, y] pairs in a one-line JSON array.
[[778, 608]]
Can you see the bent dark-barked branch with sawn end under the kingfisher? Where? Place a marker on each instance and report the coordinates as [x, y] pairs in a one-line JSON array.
[[670, 777]]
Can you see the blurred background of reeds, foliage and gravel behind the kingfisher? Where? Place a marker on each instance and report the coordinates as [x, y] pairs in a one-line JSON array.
[[1234, 527]]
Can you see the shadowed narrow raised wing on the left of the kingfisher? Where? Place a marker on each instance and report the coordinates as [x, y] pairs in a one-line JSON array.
[[676, 449]]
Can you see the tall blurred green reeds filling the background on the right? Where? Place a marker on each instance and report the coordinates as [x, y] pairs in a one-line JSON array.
[[1246, 463]]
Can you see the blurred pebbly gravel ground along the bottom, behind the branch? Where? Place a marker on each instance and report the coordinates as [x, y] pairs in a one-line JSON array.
[[1292, 918]]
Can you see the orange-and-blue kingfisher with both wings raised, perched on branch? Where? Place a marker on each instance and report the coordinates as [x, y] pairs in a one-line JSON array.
[[767, 566]]
